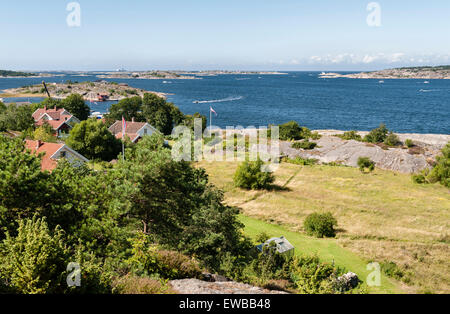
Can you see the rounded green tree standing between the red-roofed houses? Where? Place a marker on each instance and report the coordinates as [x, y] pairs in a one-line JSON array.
[[92, 139]]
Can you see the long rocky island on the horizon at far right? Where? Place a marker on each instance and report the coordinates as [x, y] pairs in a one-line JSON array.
[[427, 73]]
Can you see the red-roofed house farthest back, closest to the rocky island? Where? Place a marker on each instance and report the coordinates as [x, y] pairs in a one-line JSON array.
[[60, 120]]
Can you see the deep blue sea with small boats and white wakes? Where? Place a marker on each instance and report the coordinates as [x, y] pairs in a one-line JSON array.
[[406, 106]]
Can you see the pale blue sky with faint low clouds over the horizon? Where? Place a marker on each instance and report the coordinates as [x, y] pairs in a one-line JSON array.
[[261, 35]]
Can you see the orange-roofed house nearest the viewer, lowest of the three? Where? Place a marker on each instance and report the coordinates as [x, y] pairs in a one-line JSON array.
[[53, 152]]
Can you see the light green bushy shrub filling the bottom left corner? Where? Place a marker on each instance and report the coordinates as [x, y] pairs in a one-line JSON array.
[[34, 262]]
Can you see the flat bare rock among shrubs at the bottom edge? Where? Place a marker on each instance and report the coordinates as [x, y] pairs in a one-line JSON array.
[[195, 286]]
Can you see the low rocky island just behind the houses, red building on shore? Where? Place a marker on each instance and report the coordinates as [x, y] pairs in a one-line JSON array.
[[91, 91]]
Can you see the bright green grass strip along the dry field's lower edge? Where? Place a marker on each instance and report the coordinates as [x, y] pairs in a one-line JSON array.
[[326, 249]]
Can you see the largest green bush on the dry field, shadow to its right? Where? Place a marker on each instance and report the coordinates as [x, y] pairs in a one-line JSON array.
[[250, 175]]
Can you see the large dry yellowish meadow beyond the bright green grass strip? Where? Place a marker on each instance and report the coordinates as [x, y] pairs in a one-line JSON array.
[[382, 217]]
